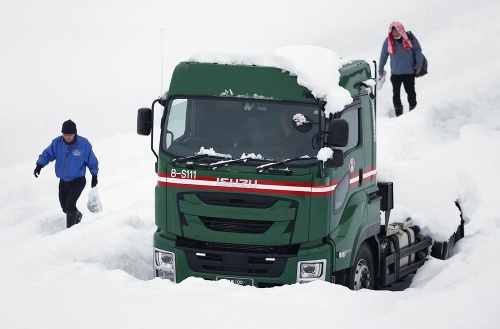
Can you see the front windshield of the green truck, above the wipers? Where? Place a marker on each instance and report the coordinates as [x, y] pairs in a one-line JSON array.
[[260, 129]]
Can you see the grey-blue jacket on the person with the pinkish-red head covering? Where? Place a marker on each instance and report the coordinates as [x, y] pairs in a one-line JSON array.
[[402, 61]]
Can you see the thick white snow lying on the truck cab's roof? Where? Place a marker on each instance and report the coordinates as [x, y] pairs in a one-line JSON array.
[[316, 68]]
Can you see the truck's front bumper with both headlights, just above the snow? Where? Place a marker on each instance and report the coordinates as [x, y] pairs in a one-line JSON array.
[[258, 266]]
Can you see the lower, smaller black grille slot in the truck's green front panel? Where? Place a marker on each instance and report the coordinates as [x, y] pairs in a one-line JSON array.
[[236, 225]]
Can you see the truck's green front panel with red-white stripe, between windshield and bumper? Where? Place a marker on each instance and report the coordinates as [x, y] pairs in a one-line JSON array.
[[241, 206]]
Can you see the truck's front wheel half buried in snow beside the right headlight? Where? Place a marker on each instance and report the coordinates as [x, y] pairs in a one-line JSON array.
[[360, 275]]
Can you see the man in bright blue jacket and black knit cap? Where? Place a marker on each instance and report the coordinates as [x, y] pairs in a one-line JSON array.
[[72, 153]]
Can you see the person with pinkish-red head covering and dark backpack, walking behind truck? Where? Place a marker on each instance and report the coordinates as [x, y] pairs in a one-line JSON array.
[[406, 63]]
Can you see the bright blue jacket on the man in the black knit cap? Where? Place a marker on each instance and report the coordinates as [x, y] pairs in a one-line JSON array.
[[71, 159]]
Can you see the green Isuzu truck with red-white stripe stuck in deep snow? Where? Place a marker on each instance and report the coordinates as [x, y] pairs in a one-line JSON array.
[[243, 195]]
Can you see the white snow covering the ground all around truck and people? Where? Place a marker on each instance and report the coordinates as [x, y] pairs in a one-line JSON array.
[[97, 62]]
